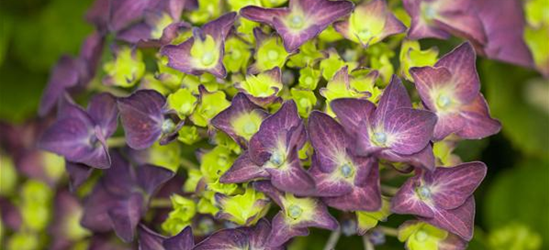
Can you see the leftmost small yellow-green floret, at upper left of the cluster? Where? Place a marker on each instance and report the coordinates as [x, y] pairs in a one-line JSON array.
[[125, 69]]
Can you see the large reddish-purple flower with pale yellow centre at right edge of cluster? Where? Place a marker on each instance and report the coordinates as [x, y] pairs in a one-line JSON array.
[[451, 89]]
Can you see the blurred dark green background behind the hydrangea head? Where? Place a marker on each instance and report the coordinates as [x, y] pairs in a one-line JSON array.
[[512, 202]]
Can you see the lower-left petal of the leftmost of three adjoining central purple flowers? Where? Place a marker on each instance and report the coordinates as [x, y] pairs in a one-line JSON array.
[[244, 170]]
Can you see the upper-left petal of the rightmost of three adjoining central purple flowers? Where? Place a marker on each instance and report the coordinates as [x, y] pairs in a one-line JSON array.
[[351, 112]]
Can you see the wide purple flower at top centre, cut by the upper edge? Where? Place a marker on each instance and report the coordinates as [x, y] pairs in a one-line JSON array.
[[302, 21]]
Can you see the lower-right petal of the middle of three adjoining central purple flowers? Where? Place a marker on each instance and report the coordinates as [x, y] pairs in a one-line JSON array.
[[365, 196]]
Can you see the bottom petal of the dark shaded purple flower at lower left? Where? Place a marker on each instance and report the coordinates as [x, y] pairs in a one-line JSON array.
[[125, 216]]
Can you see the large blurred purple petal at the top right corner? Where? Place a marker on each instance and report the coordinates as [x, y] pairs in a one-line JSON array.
[[504, 36]]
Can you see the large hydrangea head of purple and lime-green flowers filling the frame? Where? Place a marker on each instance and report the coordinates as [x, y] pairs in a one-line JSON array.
[[241, 124]]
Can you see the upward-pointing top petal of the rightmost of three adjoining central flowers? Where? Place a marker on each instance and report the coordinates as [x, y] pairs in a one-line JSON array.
[[394, 96]]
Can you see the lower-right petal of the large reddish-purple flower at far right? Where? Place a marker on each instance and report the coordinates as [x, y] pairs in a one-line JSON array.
[[477, 120]]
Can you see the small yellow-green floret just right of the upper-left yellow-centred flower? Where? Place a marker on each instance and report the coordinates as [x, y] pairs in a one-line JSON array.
[[237, 56]]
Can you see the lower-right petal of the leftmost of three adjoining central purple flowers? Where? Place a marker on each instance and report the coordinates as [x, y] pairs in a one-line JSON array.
[[292, 178]]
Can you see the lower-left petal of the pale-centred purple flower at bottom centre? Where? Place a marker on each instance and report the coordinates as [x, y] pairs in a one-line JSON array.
[[282, 232]]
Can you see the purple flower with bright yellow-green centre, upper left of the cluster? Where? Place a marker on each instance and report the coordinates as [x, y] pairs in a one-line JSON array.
[[204, 51]]
